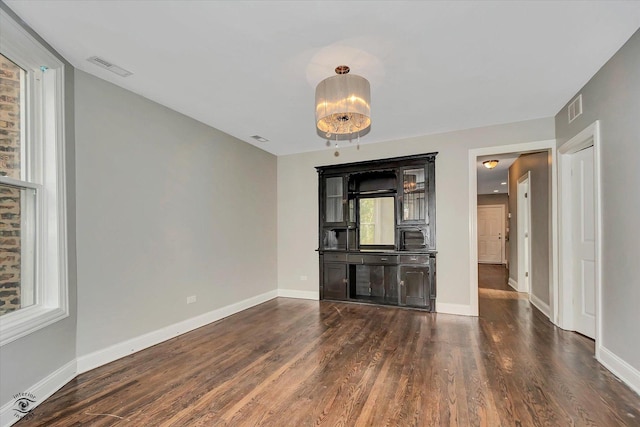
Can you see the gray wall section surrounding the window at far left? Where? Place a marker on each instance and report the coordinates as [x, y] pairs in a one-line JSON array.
[[28, 360]]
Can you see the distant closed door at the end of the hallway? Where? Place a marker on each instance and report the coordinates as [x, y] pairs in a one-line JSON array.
[[490, 234]]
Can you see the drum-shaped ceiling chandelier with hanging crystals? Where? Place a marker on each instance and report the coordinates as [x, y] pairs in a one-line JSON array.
[[343, 107]]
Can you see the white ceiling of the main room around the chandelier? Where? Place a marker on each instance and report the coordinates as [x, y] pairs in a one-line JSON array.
[[251, 67]]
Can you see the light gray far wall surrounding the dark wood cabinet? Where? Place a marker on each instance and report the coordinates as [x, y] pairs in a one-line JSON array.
[[298, 202]]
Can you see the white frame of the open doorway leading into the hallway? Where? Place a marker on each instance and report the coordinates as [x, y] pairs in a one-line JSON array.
[[548, 145]]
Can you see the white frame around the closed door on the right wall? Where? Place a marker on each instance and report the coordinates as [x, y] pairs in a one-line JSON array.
[[563, 313]]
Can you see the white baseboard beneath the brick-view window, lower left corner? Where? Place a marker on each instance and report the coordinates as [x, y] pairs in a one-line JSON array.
[[39, 392]]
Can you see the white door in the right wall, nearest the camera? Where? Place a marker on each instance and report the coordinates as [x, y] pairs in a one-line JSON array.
[[583, 242]]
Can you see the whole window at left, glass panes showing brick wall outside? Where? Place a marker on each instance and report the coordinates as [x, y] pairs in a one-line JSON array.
[[33, 279]]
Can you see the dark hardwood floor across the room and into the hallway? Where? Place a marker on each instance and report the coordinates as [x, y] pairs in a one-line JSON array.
[[294, 362]]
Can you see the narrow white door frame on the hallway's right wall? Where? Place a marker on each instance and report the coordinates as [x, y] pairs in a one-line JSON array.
[[524, 261]]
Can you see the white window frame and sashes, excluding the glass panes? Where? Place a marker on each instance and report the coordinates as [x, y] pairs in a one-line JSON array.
[[46, 173]]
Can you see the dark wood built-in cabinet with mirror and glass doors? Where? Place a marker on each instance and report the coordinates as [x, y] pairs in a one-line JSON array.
[[376, 236]]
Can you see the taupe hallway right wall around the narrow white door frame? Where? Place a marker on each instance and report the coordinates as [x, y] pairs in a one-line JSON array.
[[540, 190]]
